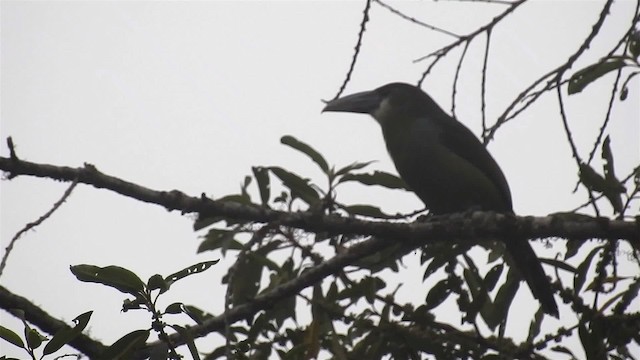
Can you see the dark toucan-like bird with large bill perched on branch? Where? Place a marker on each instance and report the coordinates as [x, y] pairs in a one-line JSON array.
[[445, 165]]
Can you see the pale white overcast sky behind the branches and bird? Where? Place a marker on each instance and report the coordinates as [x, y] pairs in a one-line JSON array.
[[190, 95]]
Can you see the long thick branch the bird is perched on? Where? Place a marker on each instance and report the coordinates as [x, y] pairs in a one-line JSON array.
[[456, 226]]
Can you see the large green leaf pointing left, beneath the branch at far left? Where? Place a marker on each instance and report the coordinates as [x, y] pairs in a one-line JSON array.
[[113, 276]]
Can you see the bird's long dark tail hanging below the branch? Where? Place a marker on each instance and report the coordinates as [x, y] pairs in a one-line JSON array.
[[530, 268]]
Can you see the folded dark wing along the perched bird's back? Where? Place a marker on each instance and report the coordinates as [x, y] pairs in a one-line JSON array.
[[461, 141]]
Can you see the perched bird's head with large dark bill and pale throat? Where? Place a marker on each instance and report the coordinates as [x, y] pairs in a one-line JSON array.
[[392, 101]]
